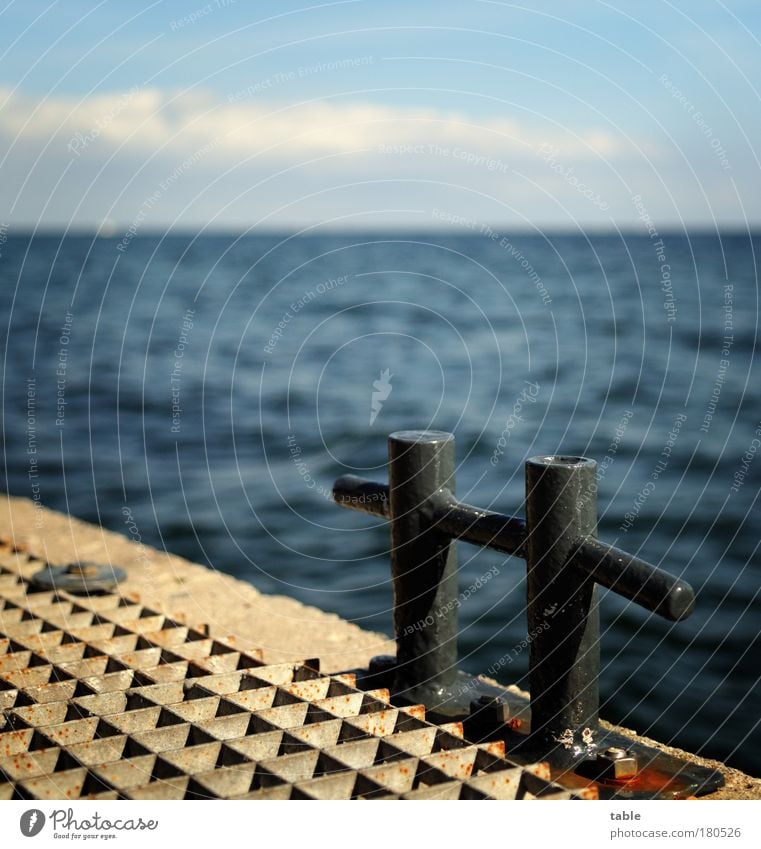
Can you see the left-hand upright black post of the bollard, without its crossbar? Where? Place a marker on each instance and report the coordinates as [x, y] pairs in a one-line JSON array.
[[423, 566]]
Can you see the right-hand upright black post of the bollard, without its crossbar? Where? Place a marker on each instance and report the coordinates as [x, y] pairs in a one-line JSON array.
[[563, 621]]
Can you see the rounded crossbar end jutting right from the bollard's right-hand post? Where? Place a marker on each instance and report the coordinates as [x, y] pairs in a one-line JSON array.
[[635, 579]]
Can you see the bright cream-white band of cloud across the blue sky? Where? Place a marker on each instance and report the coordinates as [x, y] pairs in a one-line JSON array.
[[144, 120]]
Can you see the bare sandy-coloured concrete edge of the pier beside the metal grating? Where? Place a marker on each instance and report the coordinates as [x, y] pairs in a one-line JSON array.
[[282, 628]]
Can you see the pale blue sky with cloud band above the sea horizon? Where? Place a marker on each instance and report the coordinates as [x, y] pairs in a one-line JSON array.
[[359, 115]]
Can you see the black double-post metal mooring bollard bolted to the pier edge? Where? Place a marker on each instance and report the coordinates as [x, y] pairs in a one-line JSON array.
[[565, 561]]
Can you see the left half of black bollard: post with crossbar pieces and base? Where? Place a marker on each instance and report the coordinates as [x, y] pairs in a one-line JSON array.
[[425, 519]]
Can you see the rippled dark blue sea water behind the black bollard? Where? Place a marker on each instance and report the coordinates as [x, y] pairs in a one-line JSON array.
[[609, 346]]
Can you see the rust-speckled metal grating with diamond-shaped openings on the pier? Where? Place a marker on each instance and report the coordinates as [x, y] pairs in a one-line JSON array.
[[104, 698]]
